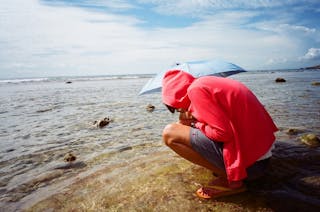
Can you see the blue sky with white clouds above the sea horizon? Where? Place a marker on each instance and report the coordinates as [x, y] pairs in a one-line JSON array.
[[40, 38]]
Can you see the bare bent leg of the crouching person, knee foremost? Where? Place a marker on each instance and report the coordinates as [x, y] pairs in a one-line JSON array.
[[177, 137]]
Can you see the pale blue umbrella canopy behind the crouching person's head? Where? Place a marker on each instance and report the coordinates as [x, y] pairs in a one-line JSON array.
[[197, 69]]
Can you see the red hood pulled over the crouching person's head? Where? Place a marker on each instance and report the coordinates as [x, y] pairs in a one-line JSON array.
[[175, 84]]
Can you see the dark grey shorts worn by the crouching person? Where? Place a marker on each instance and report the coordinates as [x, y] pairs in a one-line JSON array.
[[212, 152]]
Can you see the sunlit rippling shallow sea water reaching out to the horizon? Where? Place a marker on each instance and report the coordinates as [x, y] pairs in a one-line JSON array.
[[123, 165]]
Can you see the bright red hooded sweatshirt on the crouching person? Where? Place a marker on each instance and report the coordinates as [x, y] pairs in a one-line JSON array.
[[226, 111]]
